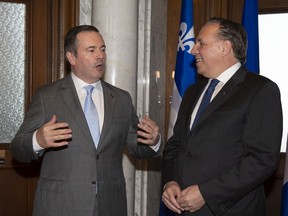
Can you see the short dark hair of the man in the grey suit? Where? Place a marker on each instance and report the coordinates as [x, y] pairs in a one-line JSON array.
[[70, 44]]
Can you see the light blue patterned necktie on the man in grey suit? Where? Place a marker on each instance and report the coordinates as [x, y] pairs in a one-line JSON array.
[[91, 115]]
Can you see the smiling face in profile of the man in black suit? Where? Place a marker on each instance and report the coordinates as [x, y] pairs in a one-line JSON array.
[[210, 52]]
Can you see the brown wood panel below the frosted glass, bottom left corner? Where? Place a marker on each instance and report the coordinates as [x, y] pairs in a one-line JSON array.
[[17, 185]]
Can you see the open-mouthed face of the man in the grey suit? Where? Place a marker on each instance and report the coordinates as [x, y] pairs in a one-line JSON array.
[[89, 62]]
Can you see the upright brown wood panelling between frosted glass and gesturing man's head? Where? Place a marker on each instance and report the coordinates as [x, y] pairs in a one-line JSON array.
[[51, 20]]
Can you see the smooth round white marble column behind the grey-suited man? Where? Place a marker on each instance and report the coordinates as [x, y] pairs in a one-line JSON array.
[[117, 22]]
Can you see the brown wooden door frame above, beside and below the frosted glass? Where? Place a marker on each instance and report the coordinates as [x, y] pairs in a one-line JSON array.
[[47, 23]]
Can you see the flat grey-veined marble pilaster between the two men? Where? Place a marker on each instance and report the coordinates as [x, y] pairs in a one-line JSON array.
[[152, 28]]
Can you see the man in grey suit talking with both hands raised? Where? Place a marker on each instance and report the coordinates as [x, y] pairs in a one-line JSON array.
[[78, 176]]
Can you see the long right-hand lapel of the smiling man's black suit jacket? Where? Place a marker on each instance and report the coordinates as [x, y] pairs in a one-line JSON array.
[[225, 93]]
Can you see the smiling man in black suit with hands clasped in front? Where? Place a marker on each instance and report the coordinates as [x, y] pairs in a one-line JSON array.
[[218, 164]]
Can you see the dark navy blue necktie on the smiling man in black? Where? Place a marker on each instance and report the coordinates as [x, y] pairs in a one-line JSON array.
[[206, 99]]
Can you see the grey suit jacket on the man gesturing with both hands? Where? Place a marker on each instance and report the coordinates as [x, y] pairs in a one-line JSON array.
[[80, 180]]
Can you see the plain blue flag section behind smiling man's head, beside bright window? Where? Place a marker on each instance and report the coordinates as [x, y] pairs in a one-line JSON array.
[[250, 23]]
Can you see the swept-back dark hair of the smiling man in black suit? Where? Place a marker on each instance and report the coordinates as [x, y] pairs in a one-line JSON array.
[[235, 33]]
